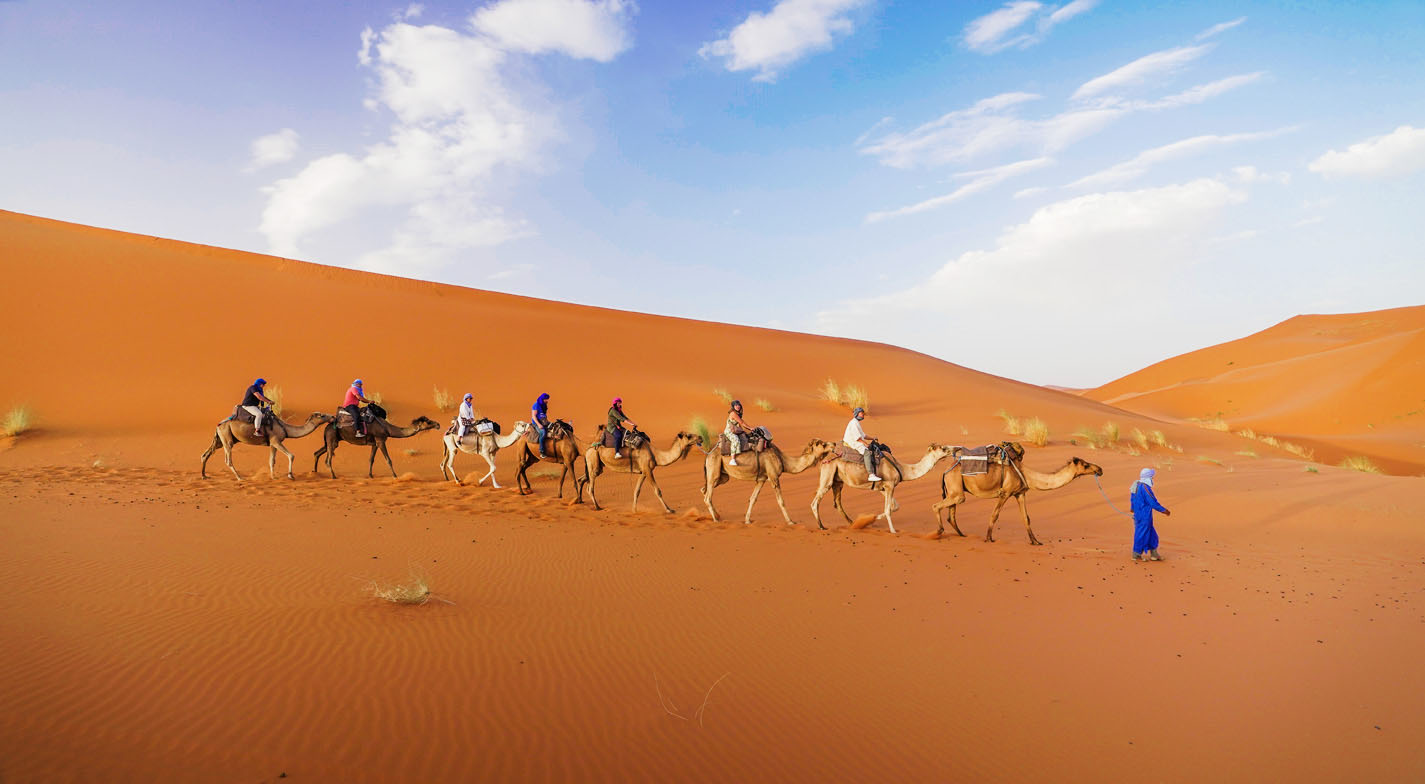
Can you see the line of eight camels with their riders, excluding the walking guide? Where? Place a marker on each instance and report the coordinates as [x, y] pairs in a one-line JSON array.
[[742, 453]]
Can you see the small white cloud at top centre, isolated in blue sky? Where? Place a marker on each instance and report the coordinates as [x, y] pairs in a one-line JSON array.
[[773, 41]]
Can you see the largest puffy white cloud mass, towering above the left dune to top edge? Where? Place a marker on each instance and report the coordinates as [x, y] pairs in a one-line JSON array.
[[460, 118]]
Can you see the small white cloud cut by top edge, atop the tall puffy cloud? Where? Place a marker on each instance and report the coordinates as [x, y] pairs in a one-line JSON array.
[[586, 29]]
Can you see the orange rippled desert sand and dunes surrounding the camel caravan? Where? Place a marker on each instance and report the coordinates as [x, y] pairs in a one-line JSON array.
[[162, 626]]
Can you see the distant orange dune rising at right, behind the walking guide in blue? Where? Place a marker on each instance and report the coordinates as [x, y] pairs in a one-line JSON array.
[[1344, 386]]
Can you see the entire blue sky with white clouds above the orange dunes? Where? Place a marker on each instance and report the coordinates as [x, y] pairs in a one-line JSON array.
[[1058, 193]]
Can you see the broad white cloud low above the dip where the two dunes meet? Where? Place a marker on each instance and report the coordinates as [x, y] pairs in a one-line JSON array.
[[1116, 252]]
